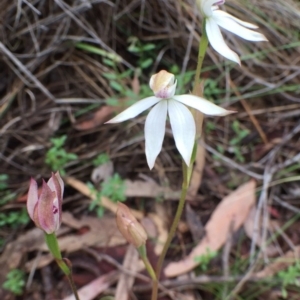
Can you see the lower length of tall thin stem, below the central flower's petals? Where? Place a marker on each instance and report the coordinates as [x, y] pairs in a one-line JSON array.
[[178, 214]]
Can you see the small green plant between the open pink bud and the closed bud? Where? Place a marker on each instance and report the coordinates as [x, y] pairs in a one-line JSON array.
[[113, 188]]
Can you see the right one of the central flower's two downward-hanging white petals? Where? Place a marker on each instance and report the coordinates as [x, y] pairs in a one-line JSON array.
[[183, 127]]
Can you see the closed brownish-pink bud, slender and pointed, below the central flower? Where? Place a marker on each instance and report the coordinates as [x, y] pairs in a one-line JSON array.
[[129, 227]]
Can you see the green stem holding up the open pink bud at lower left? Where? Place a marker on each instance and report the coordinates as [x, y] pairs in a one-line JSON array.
[[52, 244]]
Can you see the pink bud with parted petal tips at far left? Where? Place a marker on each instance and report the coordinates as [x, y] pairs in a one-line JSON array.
[[46, 210]]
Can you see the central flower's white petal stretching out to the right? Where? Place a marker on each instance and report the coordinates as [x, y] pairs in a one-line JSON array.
[[202, 105]]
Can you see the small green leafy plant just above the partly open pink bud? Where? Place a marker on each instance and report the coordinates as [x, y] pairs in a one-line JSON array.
[[57, 157]]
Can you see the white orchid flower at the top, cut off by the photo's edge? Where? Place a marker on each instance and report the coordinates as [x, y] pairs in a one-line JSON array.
[[214, 17]]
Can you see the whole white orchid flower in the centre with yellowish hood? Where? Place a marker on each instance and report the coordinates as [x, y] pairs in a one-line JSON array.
[[164, 103]]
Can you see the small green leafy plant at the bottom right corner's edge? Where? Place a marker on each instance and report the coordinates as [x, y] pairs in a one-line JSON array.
[[290, 276]]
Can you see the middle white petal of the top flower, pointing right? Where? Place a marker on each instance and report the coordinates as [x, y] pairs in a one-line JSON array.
[[231, 25]]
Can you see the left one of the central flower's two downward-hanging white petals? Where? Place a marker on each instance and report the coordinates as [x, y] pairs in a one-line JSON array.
[[155, 127]]
